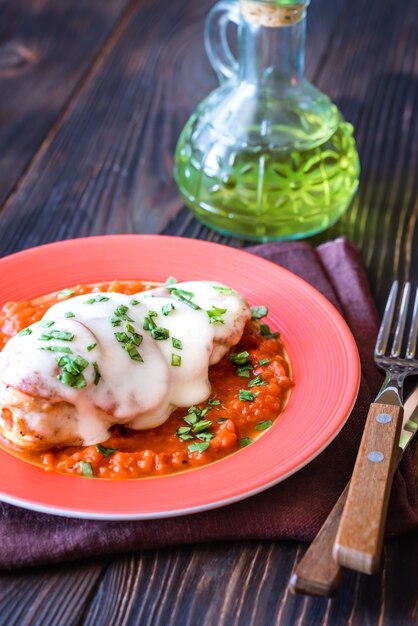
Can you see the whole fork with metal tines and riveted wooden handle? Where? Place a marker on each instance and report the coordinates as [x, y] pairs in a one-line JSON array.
[[359, 539]]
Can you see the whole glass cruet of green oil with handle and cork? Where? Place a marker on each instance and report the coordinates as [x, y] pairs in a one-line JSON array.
[[266, 156]]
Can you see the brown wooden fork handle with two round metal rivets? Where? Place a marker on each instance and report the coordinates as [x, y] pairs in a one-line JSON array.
[[359, 540]]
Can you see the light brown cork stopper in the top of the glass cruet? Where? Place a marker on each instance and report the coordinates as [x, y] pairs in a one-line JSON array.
[[272, 15]]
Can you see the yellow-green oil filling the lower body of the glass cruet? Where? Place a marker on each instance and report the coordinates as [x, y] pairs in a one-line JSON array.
[[262, 193]]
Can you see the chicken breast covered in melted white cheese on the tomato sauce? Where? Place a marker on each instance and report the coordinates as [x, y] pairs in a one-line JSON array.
[[138, 394]]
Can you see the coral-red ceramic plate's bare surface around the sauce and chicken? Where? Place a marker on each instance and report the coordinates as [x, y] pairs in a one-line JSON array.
[[320, 346]]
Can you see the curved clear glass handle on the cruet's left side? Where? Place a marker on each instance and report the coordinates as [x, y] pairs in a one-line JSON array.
[[216, 38]]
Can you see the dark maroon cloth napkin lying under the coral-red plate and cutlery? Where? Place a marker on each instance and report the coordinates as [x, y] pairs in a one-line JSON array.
[[293, 509]]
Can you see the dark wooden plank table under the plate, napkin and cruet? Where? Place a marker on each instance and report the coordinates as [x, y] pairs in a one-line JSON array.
[[93, 97]]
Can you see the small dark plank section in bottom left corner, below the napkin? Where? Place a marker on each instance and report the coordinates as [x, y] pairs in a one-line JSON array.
[[49, 596]]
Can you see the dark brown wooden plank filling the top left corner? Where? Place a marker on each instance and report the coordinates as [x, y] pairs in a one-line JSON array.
[[46, 49]]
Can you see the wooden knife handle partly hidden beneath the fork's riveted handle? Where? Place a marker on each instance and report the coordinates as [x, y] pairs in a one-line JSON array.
[[318, 573]]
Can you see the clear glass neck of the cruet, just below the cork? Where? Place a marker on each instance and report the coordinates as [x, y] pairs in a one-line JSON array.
[[272, 57]]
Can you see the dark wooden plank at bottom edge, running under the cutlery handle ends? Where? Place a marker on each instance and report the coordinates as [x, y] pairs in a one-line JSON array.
[[247, 586]]
